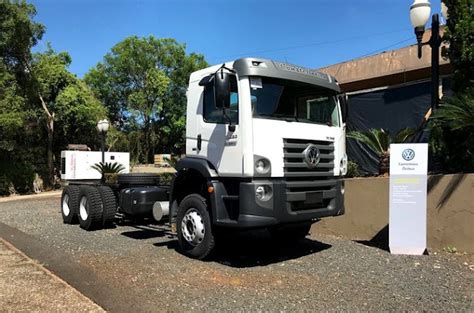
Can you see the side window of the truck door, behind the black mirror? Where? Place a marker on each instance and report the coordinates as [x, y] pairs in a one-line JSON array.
[[213, 115]]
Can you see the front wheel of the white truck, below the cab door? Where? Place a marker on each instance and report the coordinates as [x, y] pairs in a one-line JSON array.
[[193, 223]]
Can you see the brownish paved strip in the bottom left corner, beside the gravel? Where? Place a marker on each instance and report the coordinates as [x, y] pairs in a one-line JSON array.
[[26, 287]]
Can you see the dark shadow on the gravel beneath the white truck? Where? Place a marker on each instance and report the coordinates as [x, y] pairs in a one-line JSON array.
[[239, 249]]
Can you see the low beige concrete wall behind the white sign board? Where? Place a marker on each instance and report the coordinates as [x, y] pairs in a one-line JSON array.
[[450, 212]]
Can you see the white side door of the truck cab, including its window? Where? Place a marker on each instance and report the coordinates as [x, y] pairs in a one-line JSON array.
[[219, 145]]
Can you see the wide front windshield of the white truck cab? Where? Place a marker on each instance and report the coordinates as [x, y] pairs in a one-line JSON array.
[[293, 101]]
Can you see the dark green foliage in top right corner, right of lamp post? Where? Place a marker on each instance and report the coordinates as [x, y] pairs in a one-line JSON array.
[[459, 37]]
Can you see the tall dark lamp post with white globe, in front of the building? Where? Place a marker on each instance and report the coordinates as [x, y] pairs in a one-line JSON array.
[[420, 12]]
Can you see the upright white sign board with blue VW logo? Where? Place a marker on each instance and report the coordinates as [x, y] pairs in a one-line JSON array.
[[408, 186]]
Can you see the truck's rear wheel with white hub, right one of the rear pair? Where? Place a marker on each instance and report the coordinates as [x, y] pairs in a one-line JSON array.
[[90, 208]]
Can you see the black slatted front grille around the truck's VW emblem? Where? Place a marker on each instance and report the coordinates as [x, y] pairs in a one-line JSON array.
[[308, 188]]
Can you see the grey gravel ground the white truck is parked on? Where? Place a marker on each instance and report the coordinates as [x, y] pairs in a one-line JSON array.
[[136, 267]]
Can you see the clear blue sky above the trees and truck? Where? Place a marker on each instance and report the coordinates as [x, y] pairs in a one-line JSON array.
[[308, 33]]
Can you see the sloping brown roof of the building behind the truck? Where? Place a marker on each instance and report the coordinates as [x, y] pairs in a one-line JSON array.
[[387, 68]]
